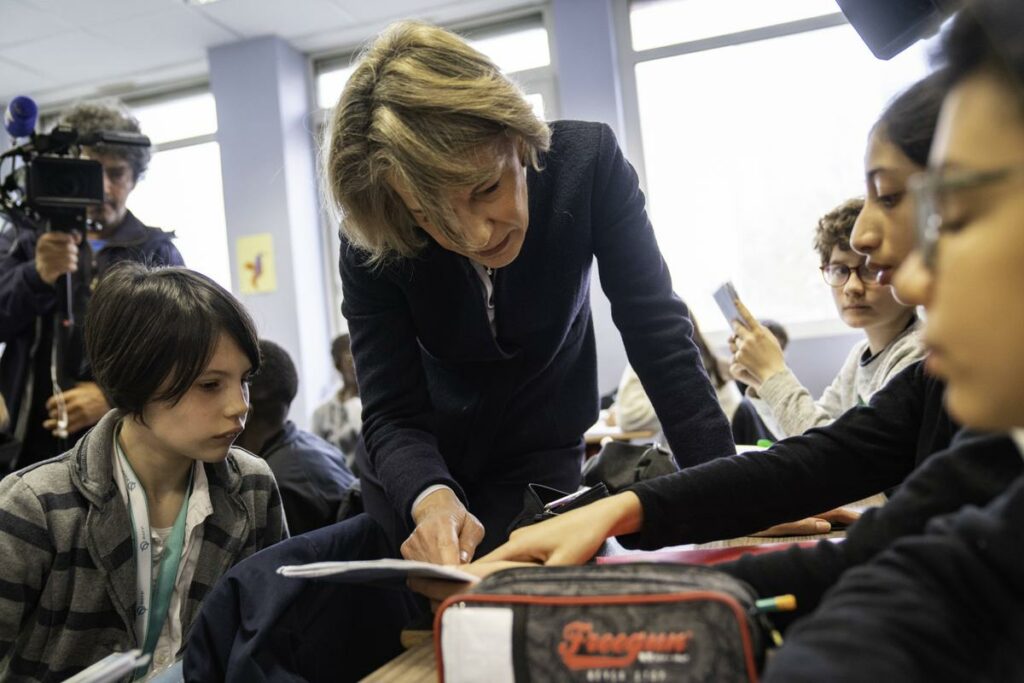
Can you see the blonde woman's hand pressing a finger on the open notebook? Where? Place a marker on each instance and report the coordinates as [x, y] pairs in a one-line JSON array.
[[446, 533]]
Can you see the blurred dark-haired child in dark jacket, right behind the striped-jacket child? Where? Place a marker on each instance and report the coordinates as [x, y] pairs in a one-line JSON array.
[[315, 484]]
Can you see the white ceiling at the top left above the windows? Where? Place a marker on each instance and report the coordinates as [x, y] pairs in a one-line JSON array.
[[59, 51]]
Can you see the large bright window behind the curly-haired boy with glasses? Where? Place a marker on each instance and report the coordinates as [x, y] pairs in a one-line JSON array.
[[745, 146]]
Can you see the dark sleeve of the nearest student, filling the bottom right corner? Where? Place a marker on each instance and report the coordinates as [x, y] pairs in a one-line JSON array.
[[944, 606]]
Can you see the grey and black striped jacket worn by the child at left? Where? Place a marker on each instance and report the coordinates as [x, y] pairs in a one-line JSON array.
[[67, 568]]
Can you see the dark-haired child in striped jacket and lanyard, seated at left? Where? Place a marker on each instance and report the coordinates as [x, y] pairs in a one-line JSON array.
[[113, 545]]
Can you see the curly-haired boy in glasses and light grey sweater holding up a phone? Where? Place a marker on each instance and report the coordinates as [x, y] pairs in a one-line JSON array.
[[891, 328]]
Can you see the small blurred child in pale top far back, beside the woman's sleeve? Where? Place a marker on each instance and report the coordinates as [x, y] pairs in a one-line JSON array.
[[339, 419]]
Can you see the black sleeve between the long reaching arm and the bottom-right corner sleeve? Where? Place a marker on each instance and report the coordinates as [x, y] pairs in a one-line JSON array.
[[974, 472]]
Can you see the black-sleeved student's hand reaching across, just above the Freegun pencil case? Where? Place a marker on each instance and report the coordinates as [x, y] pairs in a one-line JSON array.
[[573, 538]]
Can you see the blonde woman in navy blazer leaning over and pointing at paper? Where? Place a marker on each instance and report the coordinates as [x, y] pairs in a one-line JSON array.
[[470, 231]]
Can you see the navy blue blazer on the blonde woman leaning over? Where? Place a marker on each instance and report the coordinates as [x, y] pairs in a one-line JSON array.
[[447, 402]]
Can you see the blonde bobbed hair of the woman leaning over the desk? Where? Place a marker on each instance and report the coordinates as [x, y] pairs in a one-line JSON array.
[[418, 111]]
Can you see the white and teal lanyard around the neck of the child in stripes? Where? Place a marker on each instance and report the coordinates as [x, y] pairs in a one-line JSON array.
[[152, 606]]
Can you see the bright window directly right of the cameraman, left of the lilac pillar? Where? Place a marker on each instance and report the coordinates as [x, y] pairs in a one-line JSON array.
[[183, 190]]
